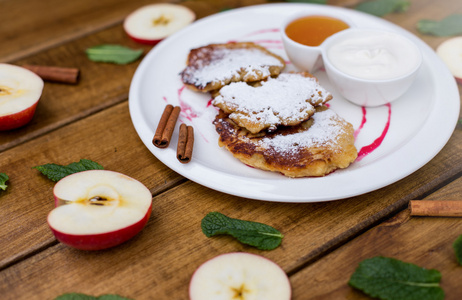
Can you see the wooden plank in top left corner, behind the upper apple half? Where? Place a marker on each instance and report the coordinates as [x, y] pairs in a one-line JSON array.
[[57, 22]]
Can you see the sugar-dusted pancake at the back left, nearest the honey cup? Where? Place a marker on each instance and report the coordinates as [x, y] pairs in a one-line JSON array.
[[211, 67]]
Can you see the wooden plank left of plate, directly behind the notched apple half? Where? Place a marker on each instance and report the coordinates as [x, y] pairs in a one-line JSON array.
[[107, 138]]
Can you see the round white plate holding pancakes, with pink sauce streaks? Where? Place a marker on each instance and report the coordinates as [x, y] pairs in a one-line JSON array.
[[413, 129]]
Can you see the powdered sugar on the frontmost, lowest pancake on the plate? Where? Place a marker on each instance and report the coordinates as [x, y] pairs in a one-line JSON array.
[[324, 132]]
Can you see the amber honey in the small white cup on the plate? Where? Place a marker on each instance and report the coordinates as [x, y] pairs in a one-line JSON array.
[[313, 30]]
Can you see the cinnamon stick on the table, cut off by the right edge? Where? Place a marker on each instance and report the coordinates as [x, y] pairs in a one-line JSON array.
[[435, 208]]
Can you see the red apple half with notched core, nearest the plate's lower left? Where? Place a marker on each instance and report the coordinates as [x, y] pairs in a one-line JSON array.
[[98, 209]]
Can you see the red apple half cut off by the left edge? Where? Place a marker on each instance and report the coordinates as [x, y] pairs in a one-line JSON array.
[[20, 91]]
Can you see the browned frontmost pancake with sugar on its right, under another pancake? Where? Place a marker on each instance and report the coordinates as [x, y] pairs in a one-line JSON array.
[[316, 147]]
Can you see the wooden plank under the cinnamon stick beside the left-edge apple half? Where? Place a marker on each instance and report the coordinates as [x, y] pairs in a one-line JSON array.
[[101, 85]]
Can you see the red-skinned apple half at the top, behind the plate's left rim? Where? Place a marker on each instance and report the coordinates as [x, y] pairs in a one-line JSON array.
[[152, 23]]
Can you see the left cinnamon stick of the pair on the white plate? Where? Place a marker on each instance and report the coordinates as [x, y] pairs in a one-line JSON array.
[[166, 126]]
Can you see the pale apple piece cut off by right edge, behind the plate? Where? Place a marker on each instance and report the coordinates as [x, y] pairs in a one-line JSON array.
[[450, 51]]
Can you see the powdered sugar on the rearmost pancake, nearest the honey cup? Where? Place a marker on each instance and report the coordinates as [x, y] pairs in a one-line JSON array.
[[225, 64]]
